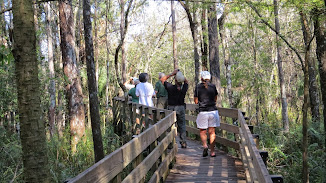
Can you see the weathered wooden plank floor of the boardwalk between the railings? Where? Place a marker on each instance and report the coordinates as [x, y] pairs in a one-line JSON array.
[[191, 167]]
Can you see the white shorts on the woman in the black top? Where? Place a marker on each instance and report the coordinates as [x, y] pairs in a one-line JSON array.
[[207, 119]]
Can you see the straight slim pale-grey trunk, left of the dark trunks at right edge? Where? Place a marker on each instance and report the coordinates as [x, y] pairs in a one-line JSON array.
[[285, 118]]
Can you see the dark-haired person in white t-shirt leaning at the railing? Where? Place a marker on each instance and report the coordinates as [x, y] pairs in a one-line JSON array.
[[145, 90]]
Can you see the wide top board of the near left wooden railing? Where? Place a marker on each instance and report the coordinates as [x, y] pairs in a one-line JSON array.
[[111, 165]]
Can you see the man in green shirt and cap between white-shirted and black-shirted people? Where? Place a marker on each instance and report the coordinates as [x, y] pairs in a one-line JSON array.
[[161, 93]]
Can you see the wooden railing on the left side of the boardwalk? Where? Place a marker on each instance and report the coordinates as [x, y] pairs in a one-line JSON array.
[[146, 157]]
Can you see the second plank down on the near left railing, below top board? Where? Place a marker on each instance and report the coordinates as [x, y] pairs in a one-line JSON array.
[[138, 173]]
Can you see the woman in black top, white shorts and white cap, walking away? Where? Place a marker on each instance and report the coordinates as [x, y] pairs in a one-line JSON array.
[[206, 95]]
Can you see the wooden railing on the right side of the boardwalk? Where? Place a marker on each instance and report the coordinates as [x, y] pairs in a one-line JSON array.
[[242, 141]]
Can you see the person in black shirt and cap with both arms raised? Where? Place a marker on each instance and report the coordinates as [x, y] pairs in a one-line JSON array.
[[176, 96]]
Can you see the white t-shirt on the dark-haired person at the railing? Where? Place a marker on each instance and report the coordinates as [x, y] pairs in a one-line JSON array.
[[145, 92]]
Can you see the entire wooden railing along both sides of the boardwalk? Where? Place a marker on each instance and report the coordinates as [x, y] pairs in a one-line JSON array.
[[130, 163]]
